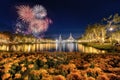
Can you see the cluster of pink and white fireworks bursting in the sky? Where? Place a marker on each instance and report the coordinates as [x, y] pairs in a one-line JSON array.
[[35, 17]]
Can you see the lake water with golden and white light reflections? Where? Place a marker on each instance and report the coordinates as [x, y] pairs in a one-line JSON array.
[[65, 47]]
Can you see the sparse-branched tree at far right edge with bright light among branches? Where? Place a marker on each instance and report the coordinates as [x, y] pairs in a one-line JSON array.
[[113, 27]]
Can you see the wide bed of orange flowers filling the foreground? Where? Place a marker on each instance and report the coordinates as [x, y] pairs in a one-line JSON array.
[[59, 66]]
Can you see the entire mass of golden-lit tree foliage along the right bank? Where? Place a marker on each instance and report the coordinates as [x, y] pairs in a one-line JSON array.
[[99, 32]]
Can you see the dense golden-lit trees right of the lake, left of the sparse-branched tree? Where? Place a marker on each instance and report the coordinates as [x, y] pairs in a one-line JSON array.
[[95, 32]]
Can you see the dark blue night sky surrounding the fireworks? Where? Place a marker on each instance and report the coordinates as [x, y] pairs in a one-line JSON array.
[[68, 16]]
